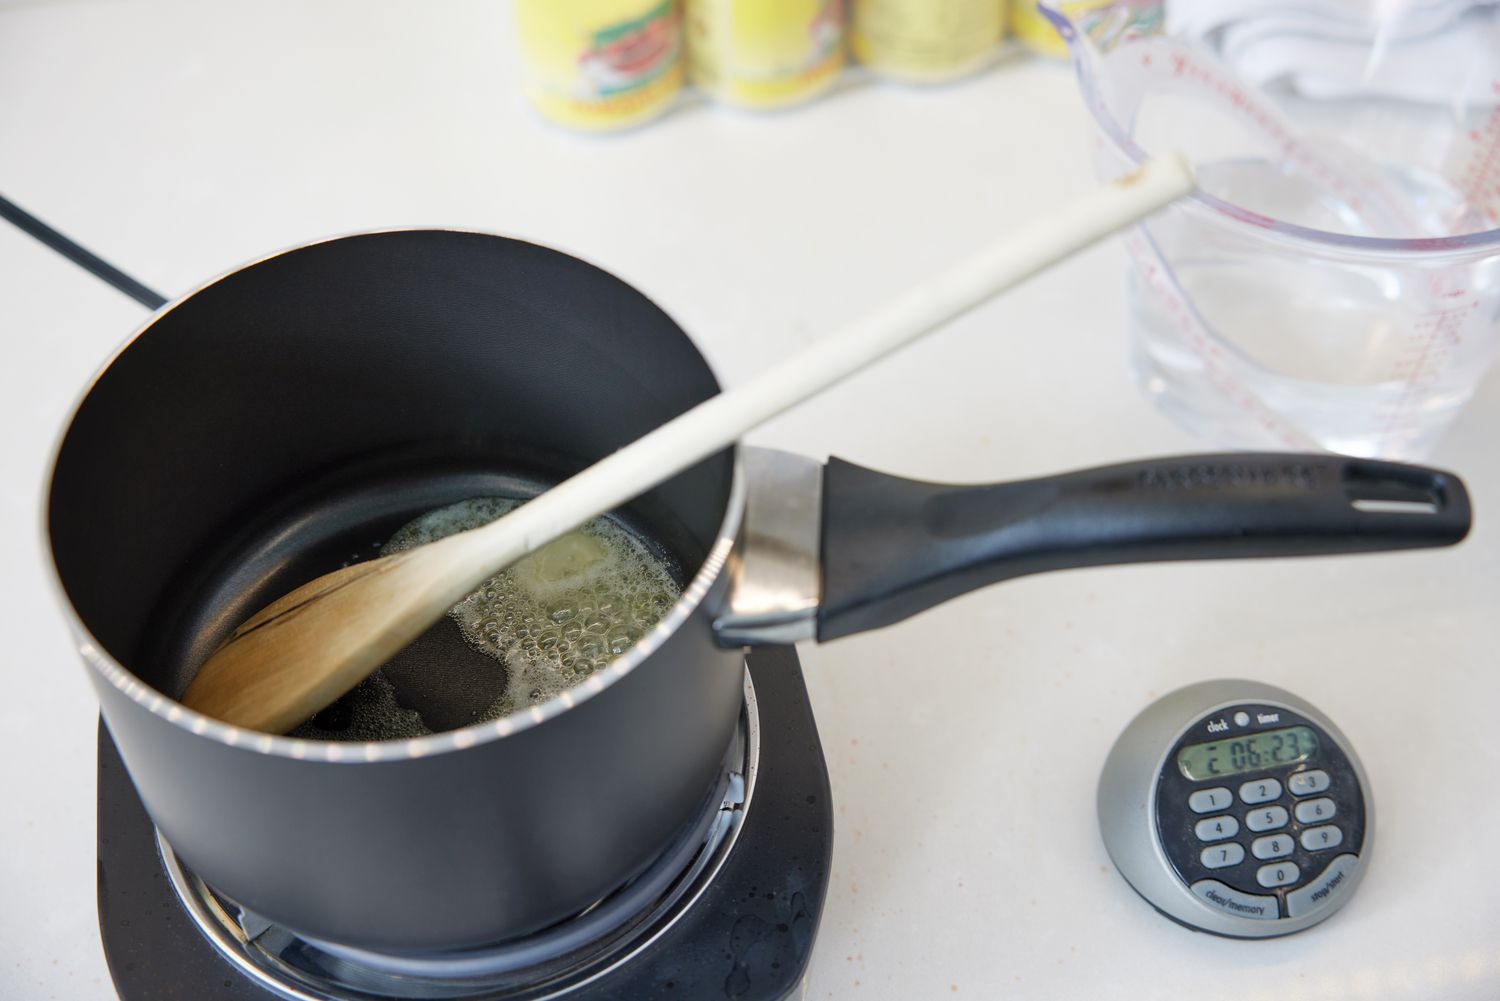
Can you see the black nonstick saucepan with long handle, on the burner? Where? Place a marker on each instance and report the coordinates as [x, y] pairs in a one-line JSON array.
[[290, 415]]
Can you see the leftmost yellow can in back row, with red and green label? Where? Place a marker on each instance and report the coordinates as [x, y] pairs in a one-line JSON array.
[[601, 64]]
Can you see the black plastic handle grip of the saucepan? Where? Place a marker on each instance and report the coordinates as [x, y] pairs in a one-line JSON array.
[[895, 547]]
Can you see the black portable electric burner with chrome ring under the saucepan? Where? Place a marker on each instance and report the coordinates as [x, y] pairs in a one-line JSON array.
[[730, 909]]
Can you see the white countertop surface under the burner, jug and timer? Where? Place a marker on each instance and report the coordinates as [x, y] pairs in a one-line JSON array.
[[179, 139]]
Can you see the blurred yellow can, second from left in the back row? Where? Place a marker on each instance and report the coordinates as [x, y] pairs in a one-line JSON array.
[[764, 53]]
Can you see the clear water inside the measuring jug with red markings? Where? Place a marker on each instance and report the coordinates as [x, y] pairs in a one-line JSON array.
[[1357, 356]]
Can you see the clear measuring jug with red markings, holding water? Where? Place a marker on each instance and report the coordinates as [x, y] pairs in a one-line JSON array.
[[1336, 281]]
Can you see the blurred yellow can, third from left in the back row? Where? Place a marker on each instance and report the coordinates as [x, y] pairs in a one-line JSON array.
[[926, 41]]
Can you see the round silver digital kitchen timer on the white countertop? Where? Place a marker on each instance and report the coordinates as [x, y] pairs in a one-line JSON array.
[[1237, 808]]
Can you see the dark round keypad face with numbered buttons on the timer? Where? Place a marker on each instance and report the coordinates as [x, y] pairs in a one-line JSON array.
[[1292, 817]]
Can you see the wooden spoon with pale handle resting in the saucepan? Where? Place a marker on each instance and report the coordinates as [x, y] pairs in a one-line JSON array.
[[305, 651]]
